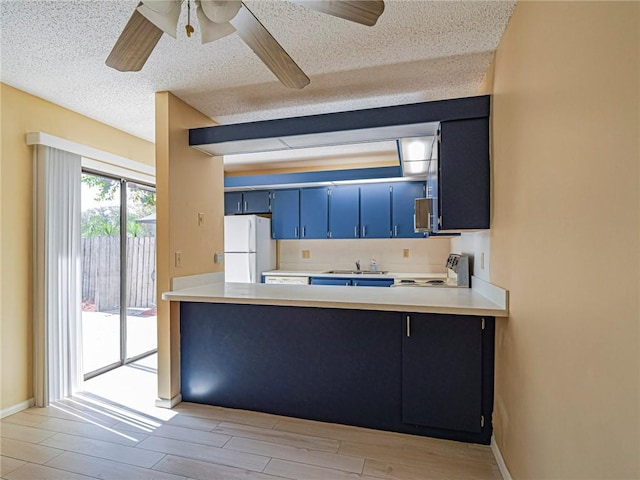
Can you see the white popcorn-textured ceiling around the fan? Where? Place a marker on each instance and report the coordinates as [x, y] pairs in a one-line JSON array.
[[418, 51]]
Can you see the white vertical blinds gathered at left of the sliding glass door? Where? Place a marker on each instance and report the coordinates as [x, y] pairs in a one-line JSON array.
[[57, 273]]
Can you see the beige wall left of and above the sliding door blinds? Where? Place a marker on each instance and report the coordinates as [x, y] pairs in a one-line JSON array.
[[23, 113]]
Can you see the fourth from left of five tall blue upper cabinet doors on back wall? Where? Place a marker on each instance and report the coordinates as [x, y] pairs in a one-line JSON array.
[[375, 210]]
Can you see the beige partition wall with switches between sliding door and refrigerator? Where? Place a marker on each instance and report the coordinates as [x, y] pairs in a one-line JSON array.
[[188, 182]]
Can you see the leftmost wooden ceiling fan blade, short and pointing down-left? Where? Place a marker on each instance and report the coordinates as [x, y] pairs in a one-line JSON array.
[[135, 44]]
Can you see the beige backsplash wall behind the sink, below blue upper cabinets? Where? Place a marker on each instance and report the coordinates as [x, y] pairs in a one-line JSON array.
[[425, 255]]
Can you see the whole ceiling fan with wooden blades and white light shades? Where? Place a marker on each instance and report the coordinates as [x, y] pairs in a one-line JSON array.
[[219, 18]]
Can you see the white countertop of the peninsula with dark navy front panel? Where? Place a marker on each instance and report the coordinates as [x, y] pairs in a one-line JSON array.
[[460, 301]]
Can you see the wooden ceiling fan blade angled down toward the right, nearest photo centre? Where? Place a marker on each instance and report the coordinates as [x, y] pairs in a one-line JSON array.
[[267, 48]]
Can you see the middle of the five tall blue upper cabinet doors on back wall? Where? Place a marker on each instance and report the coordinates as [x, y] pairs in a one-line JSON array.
[[344, 212]]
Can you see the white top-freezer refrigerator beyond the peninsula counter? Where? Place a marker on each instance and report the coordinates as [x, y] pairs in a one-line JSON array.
[[248, 248]]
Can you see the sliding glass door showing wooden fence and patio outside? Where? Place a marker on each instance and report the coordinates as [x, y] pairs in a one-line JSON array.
[[118, 272]]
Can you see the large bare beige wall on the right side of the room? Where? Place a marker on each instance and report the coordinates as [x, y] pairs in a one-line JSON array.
[[565, 240]]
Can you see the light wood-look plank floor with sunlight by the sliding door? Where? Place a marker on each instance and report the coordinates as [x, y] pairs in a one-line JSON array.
[[113, 431]]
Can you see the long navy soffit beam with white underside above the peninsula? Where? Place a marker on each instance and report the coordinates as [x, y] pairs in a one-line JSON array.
[[357, 126]]
